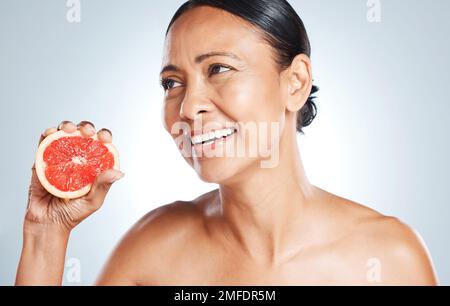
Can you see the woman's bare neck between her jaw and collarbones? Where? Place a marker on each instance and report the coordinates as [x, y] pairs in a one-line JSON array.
[[264, 207]]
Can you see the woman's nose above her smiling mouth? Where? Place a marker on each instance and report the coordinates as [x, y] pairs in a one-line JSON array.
[[196, 102]]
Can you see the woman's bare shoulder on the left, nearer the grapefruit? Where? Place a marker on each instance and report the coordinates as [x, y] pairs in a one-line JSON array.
[[155, 243]]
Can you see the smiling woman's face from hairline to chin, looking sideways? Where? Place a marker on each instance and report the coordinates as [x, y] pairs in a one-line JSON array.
[[218, 73]]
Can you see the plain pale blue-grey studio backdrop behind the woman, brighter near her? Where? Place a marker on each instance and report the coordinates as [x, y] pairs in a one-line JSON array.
[[381, 137]]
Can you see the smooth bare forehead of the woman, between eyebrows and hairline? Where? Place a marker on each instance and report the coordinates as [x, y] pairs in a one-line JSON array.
[[206, 29]]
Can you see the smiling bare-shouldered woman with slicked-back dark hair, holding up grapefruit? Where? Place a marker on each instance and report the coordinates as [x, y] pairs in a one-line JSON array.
[[228, 63]]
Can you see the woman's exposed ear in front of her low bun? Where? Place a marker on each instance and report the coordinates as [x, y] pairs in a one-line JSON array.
[[299, 82]]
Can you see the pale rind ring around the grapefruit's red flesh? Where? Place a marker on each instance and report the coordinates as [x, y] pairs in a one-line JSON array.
[[41, 165]]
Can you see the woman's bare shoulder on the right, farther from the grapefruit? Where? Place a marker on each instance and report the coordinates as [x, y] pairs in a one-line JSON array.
[[387, 243]]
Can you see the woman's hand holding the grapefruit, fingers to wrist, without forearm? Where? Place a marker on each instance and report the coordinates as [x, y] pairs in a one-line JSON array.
[[63, 215]]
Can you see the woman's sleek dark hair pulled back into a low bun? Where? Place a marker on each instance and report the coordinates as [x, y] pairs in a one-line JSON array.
[[283, 30]]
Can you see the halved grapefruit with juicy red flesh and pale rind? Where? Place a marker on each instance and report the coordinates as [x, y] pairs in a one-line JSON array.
[[68, 164]]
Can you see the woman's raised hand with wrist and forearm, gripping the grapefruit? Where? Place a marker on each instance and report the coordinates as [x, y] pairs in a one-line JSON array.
[[49, 220]]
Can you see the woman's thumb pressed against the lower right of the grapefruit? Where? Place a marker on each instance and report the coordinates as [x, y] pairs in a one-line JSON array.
[[101, 186]]
